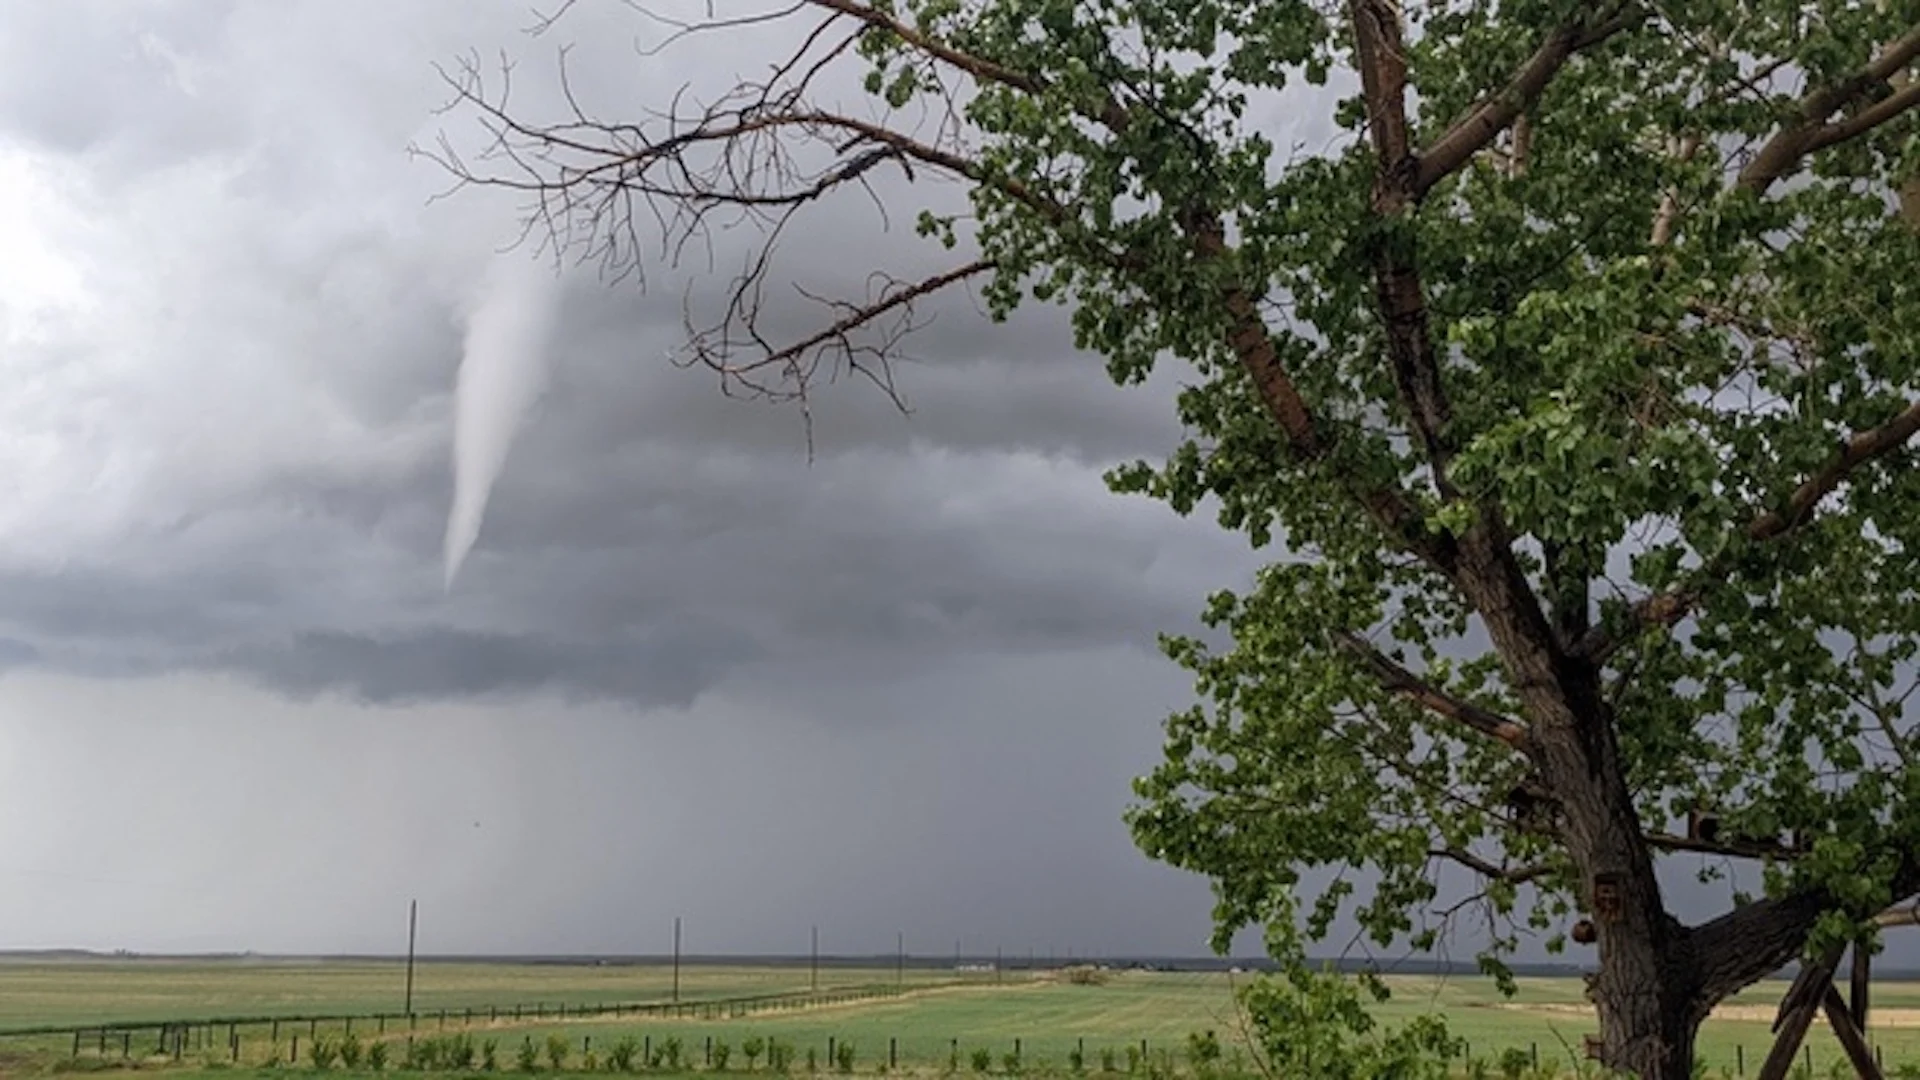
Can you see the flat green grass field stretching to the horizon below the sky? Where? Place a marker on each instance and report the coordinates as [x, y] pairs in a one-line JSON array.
[[938, 1016]]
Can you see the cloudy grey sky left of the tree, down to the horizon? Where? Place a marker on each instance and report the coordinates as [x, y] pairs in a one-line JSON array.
[[684, 672]]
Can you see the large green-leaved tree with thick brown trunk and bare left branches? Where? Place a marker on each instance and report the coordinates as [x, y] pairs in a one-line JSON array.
[[1570, 378]]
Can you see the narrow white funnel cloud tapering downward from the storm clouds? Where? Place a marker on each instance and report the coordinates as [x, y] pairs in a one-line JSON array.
[[504, 370]]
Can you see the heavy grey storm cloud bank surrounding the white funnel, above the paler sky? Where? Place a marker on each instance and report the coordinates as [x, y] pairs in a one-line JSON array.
[[268, 487]]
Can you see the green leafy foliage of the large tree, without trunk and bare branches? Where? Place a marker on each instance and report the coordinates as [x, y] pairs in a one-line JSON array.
[[1629, 395]]
